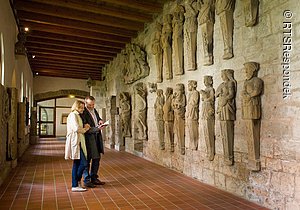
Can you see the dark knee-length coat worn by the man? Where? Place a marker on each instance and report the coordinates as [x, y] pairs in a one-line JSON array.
[[93, 137]]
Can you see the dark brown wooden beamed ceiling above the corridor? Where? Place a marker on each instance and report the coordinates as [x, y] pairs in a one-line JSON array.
[[77, 38]]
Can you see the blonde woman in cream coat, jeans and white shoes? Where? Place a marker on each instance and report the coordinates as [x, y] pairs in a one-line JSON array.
[[75, 144]]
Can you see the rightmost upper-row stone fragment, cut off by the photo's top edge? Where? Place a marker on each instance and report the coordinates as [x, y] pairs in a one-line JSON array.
[[251, 12]]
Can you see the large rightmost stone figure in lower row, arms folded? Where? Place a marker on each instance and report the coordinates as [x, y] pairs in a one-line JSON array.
[[251, 113]]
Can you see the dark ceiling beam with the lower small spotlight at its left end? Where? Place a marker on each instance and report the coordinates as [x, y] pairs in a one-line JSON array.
[[83, 61]]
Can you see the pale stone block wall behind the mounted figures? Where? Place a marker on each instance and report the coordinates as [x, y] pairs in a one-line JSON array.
[[277, 184]]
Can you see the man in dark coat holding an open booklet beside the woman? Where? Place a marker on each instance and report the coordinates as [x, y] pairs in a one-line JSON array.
[[94, 143]]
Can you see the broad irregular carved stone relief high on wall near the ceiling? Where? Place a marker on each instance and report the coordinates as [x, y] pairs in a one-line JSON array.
[[135, 64]]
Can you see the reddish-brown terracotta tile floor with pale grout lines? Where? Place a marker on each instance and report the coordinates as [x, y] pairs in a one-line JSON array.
[[42, 180]]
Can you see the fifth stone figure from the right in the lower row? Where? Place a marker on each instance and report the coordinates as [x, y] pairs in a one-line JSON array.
[[178, 104]]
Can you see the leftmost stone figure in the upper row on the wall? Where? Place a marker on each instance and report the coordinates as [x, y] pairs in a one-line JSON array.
[[157, 51]]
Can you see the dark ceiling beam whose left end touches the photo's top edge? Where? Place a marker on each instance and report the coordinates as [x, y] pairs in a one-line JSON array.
[[69, 13]]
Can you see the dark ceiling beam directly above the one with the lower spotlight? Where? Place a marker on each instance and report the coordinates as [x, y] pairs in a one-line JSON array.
[[70, 55]]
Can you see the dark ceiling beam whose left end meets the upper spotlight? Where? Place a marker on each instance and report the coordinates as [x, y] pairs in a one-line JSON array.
[[73, 32]]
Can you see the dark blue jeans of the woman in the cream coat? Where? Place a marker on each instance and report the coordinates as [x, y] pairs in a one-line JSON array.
[[78, 167]]
